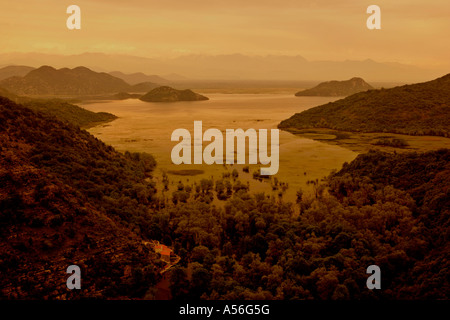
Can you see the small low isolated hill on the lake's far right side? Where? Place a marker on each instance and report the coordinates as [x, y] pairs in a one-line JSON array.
[[337, 88]]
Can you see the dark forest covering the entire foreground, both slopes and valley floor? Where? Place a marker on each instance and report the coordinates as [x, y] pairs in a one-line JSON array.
[[67, 198]]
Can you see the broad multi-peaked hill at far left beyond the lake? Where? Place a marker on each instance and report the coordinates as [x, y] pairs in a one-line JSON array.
[[50, 81]]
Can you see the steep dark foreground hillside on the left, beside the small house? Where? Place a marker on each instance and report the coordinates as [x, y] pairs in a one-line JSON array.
[[67, 198]]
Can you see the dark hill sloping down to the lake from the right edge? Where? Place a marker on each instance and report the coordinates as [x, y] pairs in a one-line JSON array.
[[417, 109]]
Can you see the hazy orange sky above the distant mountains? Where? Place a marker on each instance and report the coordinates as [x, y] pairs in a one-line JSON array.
[[413, 31]]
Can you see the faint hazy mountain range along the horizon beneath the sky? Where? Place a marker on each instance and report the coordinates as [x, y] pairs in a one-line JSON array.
[[232, 67]]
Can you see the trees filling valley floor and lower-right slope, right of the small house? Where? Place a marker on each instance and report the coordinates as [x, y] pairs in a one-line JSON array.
[[383, 209]]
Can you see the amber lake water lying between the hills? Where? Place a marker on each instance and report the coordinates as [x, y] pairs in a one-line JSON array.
[[148, 126]]
